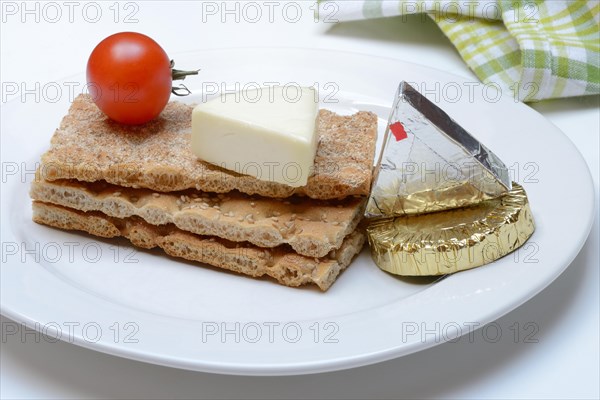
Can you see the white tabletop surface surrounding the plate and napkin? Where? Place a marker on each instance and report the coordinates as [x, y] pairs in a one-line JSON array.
[[564, 363]]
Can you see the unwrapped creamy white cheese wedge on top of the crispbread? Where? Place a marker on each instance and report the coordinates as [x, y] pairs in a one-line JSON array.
[[268, 133]]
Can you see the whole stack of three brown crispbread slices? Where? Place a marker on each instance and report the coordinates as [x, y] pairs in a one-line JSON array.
[[144, 183]]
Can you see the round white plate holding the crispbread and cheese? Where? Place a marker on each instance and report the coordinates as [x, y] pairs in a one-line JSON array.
[[107, 296]]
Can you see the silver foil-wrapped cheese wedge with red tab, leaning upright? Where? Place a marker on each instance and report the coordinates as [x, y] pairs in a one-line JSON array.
[[428, 162]]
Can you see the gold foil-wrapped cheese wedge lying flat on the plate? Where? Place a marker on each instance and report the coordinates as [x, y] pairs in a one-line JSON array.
[[453, 240]]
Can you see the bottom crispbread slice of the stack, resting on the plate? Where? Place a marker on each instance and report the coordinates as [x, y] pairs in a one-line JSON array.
[[281, 263]]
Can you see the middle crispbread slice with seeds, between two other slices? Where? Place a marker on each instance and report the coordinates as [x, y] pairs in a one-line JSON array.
[[311, 227]]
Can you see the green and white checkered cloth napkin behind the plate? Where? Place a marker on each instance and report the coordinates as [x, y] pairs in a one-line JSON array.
[[532, 49]]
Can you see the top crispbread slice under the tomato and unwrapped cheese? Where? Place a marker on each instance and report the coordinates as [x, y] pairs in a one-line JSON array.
[[90, 147]]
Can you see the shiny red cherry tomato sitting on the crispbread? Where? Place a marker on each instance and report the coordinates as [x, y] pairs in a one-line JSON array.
[[130, 77]]
